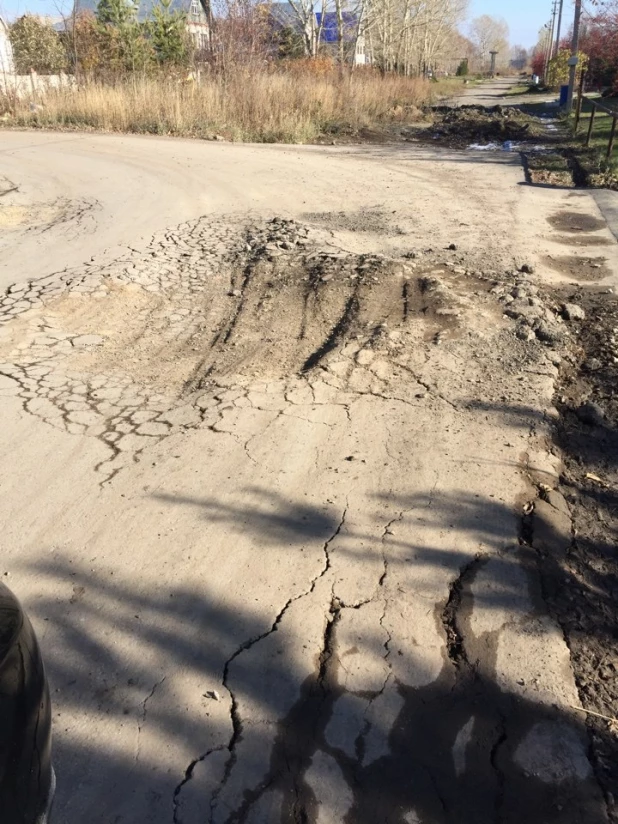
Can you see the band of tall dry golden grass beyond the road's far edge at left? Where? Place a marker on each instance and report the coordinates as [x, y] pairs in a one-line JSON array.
[[257, 106]]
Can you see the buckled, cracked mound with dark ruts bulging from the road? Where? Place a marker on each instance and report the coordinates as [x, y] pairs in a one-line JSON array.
[[144, 346]]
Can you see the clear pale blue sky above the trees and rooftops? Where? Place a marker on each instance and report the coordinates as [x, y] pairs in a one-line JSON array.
[[525, 17]]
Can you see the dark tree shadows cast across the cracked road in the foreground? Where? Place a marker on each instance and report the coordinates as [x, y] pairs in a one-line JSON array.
[[126, 663]]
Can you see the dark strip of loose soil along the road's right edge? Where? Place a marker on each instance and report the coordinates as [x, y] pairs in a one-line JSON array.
[[582, 588]]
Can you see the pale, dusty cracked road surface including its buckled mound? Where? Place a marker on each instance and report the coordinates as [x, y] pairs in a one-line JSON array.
[[273, 418]]
